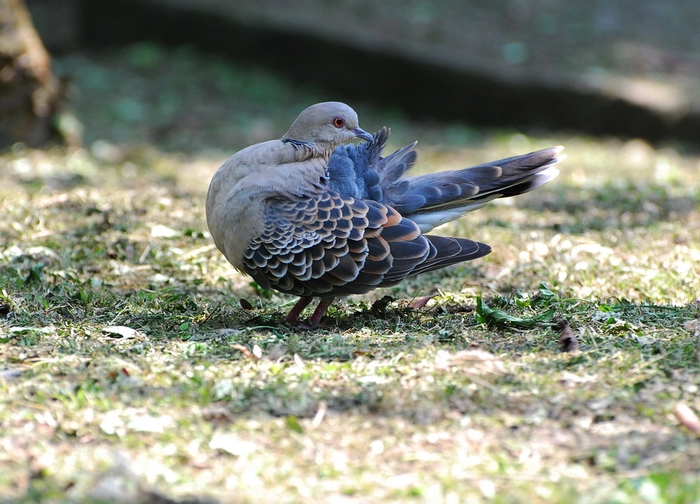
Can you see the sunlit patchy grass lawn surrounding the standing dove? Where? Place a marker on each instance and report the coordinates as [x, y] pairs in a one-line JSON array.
[[132, 372]]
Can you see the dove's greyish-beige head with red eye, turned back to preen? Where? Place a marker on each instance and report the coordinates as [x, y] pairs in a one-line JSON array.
[[326, 125]]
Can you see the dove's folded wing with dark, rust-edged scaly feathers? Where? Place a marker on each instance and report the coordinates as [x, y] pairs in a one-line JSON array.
[[329, 245]]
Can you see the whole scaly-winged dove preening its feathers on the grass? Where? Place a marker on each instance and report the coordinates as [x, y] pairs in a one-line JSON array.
[[313, 215]]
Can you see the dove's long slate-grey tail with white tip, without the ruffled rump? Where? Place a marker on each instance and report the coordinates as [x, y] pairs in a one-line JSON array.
[[437, 198]]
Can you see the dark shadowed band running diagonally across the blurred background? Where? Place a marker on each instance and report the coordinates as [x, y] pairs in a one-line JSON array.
[[423, 88]]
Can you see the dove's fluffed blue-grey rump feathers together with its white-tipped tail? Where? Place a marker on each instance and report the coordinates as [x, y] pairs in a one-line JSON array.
[[433, 199]]
